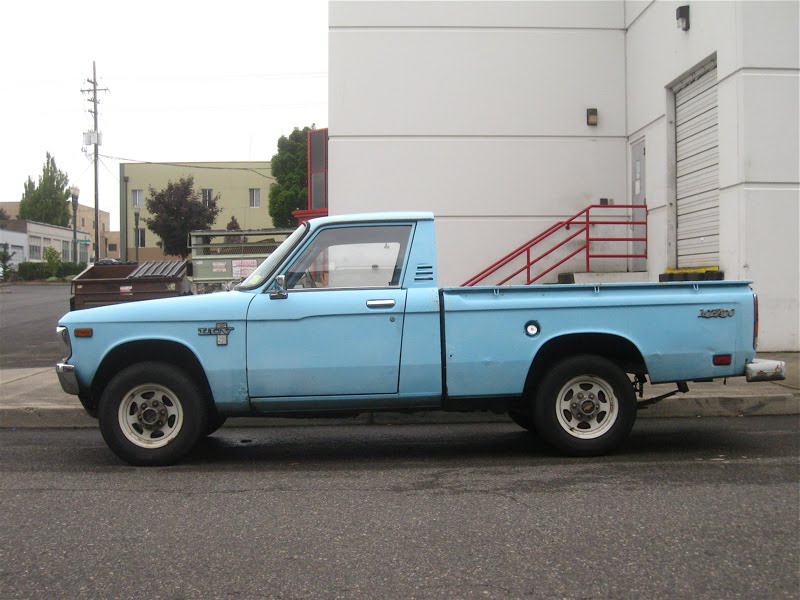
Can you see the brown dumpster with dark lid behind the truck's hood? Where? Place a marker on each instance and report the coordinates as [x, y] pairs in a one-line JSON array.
[[104, 284]]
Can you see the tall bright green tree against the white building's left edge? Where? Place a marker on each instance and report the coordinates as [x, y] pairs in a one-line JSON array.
[[290, 169]]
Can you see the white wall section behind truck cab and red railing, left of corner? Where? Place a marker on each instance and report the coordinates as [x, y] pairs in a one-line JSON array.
[[477, 111]]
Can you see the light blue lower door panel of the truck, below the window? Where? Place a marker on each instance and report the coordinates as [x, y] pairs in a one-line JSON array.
[[325, 343]]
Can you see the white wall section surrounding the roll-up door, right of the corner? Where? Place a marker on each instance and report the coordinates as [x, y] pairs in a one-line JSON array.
[[757, 52]]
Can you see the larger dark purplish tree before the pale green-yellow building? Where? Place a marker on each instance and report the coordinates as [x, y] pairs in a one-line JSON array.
[[175, 211]]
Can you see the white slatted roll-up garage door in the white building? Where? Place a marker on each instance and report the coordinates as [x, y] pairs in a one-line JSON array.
[[697, 168]]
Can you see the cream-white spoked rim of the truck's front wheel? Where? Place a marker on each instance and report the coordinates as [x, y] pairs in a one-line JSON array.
[[150, 416]]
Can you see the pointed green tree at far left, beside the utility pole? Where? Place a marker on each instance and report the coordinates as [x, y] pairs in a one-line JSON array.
[[46, 201]]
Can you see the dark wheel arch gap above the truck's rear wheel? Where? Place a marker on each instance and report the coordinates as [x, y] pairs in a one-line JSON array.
[[616, 348]]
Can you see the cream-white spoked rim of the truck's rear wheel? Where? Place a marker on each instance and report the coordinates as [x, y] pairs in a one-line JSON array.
[[587, 407]]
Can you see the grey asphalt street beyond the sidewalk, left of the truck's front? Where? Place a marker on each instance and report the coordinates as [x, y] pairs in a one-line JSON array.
[[28, 318]]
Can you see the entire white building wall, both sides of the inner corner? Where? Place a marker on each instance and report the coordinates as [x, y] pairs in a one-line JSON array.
[[477, 111]]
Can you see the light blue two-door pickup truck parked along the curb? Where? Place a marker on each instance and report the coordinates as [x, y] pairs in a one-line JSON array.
[[346, 317]]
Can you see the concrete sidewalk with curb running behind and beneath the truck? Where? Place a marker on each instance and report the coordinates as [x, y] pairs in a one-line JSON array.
[[33, 398]]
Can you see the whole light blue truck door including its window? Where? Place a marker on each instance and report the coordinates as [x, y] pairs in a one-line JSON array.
[[337, 331]]
